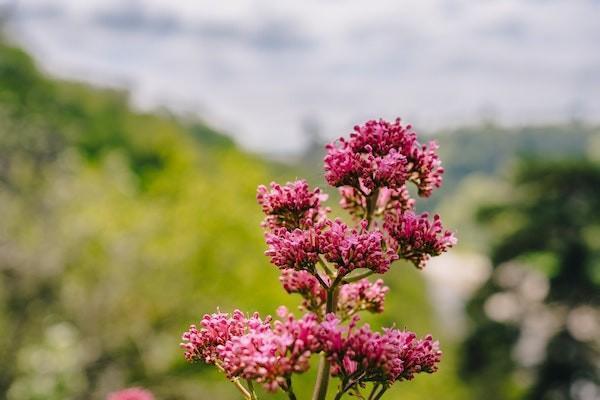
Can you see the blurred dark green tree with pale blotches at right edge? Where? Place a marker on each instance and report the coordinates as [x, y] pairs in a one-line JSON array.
[[535, 323]]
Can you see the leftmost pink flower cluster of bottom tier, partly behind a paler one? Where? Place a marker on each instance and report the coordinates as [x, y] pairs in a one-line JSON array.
[[215, 330]]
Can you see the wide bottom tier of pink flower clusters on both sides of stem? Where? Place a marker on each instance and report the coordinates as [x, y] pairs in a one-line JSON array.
[[269, 353]]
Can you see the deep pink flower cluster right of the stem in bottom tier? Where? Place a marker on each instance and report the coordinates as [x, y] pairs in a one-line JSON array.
[[367, 356]]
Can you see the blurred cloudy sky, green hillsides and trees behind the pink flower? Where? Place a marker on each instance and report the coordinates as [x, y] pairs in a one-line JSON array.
[[133, 134]]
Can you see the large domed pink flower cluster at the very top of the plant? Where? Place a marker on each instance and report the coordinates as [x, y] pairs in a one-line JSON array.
[[382, 154]]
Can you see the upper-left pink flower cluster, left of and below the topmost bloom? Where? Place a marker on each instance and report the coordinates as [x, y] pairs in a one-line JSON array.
[[291, 206]]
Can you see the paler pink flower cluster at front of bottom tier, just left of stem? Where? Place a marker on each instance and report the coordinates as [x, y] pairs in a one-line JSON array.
[[271, 356]]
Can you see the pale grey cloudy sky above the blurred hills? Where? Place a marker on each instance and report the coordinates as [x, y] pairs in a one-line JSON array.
[[258, 69]]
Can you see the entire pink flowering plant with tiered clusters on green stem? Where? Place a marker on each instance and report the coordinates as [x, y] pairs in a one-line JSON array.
[[327, 263]]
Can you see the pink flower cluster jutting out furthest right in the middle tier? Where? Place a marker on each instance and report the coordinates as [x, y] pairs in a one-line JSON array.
[[416, 238]]
